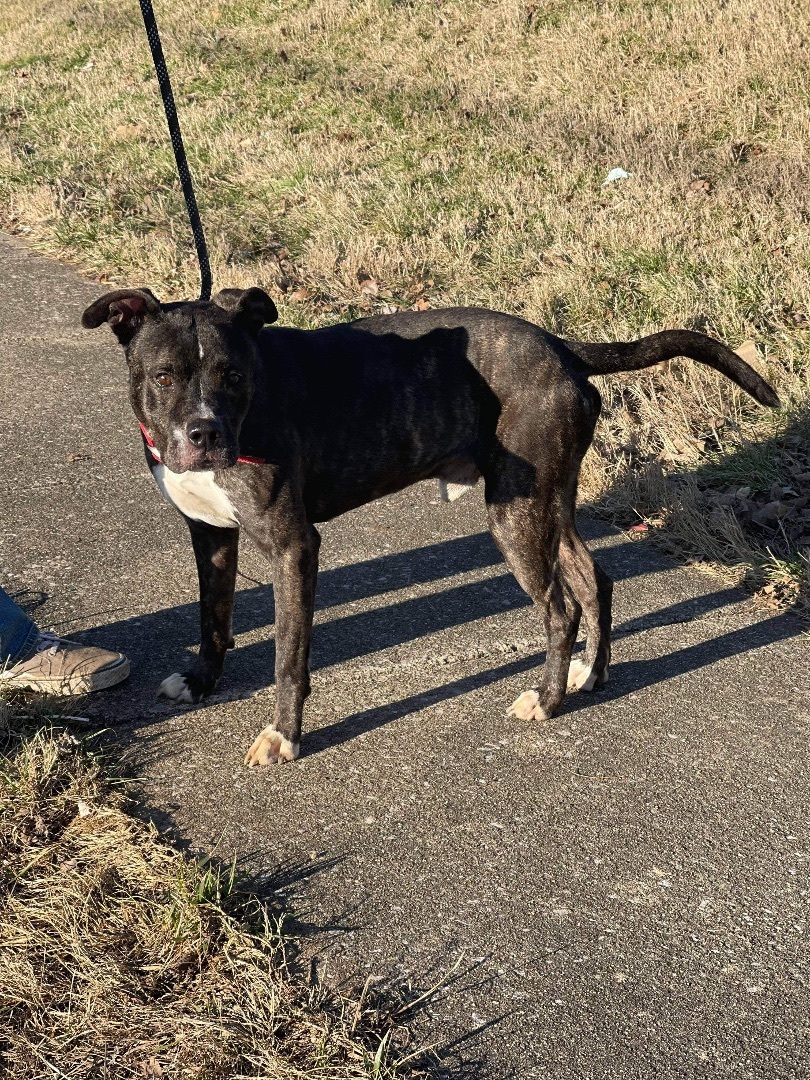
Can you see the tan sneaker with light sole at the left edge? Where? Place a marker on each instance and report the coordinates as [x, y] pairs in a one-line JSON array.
[[66, 669]]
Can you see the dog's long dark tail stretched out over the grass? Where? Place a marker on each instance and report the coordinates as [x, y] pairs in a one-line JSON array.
[[633, 356]]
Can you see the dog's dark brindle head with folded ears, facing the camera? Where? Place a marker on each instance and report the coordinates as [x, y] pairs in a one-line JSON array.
[[192, 369]]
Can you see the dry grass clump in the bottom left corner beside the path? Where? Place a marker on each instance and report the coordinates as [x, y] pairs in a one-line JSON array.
[[123, 957]]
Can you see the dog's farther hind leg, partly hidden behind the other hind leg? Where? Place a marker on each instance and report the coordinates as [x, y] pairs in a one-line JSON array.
[[593, 590]]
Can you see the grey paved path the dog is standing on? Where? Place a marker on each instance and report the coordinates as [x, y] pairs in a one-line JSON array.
[[622, 893]]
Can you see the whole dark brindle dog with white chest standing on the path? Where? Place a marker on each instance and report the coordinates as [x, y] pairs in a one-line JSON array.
[[272, 430]]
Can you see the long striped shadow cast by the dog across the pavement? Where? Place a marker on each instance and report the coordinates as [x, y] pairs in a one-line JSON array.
[[366, 632]]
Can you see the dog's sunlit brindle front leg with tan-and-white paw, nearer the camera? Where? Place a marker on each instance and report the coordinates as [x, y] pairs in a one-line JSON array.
[[295, 574]]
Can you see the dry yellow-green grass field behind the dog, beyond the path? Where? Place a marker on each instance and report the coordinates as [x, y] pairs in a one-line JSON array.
[[455, 153]]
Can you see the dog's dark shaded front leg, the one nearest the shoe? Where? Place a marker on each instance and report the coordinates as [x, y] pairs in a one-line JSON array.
[[217, 552]]
